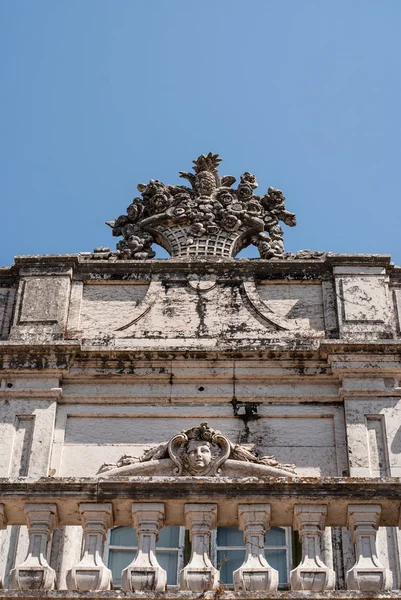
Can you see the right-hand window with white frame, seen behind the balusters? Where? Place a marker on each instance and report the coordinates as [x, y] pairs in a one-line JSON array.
[[229, 552]]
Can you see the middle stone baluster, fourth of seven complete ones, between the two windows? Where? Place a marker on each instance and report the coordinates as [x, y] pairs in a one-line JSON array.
[[200, 575]]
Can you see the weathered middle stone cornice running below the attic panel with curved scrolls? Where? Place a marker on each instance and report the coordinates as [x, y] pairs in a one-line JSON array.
[[367, 357]]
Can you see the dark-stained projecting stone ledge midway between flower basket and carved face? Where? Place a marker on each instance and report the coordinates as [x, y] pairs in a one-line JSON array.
[[21, 355]]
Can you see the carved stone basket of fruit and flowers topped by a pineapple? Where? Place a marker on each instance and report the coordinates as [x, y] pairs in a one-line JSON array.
[[208, 219]]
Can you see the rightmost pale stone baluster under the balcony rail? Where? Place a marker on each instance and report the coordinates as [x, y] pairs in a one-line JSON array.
[[368, 574]]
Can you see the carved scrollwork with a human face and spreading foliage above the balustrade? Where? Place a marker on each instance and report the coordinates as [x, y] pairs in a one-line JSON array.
[[199, 451]]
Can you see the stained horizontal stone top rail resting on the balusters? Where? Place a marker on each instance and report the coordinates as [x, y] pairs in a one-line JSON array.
[[281, 493]]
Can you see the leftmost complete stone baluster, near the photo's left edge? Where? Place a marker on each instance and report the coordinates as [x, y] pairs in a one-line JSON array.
[[35, 572]]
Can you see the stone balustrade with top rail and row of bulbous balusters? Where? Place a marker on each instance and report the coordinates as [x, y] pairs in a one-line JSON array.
[[201, 504]]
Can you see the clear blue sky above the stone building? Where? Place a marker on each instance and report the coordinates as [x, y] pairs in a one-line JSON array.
[[99, 95]]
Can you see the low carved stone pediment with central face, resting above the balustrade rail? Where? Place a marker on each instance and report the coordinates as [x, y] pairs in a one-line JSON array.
[[202, 452]]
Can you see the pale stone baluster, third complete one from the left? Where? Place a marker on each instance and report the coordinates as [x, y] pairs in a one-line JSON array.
[[145, 573]]
